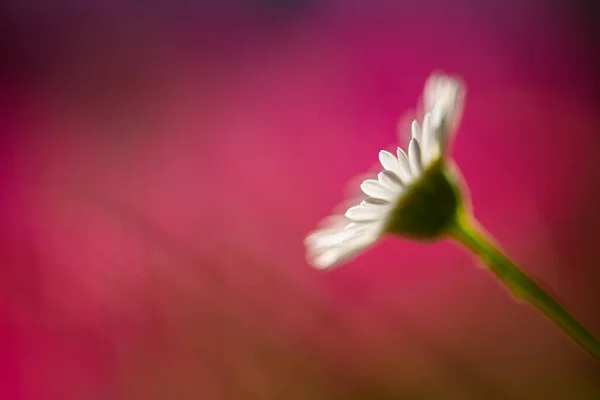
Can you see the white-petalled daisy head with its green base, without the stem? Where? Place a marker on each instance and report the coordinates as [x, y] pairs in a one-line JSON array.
[[409, 188]]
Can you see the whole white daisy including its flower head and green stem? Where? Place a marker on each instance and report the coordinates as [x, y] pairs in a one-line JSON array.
[[418, 195]]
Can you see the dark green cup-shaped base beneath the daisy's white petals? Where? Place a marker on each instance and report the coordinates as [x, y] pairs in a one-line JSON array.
[[430, 206]]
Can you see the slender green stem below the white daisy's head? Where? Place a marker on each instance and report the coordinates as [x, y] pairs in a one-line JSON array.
[[471, 235]]
